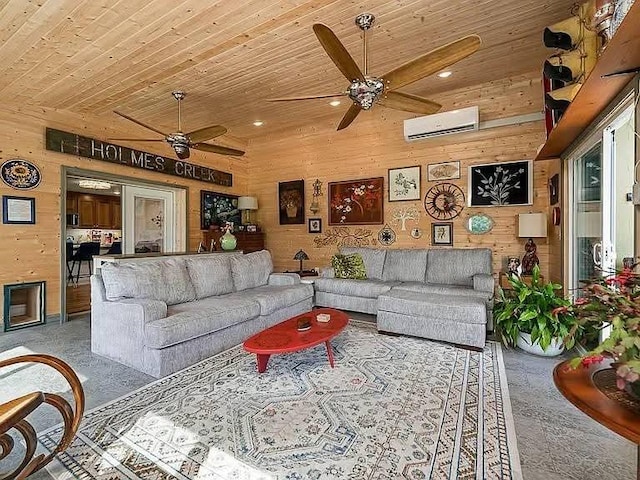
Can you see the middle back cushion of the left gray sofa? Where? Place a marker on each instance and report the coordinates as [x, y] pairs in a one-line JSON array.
[[210, 274]]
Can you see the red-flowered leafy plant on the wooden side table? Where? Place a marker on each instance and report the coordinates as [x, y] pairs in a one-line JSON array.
[[612, 302]]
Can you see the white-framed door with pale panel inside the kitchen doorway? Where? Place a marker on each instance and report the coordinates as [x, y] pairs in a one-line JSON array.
[[148, 220]]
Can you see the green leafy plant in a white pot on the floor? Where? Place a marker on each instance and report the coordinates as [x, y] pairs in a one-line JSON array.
[[532, 318]]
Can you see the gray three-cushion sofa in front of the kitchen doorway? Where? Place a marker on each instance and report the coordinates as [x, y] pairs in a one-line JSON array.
[[161, 315]]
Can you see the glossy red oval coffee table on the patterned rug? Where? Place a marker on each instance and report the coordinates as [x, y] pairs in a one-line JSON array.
[[285, 337]]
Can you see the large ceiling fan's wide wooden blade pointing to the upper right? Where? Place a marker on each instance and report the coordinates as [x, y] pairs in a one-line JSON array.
[[431, 62]]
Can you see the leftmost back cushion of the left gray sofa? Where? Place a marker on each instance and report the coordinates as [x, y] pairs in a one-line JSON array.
[[166, 280]]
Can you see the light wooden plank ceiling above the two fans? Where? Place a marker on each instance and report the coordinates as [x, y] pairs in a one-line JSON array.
[[94, 56]]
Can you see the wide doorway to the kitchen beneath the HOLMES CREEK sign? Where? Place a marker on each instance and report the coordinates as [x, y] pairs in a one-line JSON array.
[[111, 215]]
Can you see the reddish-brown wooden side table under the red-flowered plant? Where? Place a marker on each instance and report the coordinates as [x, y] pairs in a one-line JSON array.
[[593, 390]]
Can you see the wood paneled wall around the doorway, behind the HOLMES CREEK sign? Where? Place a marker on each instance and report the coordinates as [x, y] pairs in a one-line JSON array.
[[32, 252]]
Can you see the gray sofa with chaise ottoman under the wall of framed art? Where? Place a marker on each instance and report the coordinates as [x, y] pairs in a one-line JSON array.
[[441, 294]]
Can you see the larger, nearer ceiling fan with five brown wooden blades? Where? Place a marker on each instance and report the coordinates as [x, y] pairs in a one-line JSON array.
[[365, 90]]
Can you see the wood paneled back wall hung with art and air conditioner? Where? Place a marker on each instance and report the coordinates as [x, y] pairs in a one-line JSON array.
[[375, 143]]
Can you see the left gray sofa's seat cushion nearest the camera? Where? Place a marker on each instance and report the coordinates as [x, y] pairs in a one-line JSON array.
[[194, 319]]
